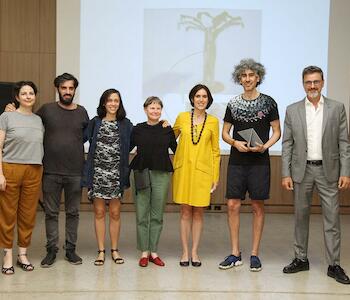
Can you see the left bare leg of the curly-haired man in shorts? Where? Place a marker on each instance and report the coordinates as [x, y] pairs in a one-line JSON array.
[[233, 211]]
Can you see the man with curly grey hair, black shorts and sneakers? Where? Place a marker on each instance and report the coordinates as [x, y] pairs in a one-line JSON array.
[[249, 163]]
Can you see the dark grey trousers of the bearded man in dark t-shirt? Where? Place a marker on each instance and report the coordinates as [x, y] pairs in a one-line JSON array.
[[53, 185]]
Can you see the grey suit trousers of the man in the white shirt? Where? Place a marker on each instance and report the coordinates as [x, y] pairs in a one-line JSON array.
[[328, 192]]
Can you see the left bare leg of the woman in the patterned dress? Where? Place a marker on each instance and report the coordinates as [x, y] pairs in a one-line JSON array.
[[100, 224]]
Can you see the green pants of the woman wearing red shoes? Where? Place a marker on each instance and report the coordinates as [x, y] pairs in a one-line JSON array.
[[150, 203]]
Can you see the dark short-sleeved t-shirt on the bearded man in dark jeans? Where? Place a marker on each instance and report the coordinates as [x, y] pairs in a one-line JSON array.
[[63, 139]]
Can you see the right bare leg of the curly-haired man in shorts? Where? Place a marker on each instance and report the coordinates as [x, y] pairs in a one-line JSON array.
[[258, 224]]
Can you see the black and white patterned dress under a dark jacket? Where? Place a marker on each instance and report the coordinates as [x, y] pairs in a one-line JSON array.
[[106, 180]]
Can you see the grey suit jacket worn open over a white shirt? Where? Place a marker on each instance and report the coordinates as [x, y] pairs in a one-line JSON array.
[[335, 141]]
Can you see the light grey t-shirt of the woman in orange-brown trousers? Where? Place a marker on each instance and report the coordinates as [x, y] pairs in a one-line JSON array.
[[24, 138]]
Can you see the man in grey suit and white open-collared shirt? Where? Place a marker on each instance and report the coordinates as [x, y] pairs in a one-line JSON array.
[[316, 152]]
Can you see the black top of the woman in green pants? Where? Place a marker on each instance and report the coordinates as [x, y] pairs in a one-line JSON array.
[[152, 142]]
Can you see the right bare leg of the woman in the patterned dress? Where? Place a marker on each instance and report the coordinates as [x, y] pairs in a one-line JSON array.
[[114, 225]]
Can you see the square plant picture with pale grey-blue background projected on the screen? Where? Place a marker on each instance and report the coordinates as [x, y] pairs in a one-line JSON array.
[[183, 47]]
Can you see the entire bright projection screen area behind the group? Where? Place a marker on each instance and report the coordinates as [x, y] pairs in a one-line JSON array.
[[163, 48]]
